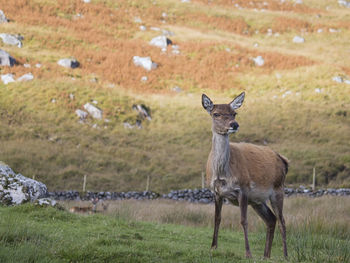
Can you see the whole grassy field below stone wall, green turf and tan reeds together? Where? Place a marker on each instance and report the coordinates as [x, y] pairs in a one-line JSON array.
[[318, 231]]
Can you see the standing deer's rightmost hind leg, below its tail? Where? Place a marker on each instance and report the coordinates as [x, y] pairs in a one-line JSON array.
[[277, 207]]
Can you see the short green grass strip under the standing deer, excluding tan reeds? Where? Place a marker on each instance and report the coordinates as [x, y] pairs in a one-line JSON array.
[[35, 234]]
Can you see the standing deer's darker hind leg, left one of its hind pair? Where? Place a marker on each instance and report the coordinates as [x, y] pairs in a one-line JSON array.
[[270, 220]]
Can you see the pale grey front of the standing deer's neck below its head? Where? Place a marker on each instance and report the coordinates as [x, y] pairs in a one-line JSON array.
[[220, 155]]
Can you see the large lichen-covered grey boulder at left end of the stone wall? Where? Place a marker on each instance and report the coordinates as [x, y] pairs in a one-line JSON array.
[[17, 189]]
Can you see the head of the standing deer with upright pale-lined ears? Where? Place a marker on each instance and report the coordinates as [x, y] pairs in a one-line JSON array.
[[223, 115]]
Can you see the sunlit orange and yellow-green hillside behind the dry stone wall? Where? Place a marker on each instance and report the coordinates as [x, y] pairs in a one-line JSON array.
[[297, 102]]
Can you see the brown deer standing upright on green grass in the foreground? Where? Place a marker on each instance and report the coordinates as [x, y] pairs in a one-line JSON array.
[[244, 174]]
